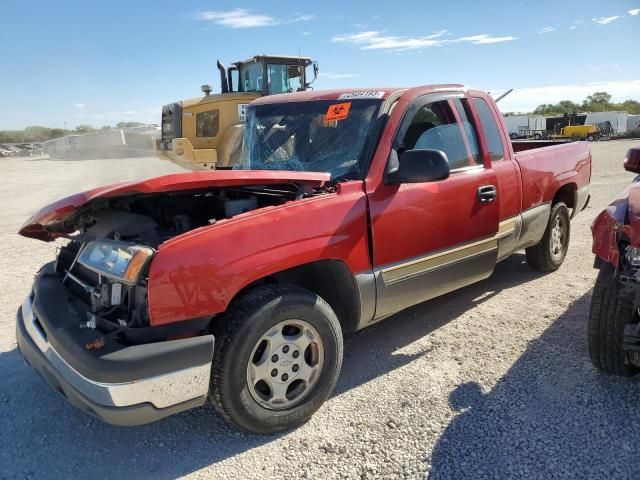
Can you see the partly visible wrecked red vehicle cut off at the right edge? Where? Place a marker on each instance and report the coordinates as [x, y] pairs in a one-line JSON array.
[[614, 322]]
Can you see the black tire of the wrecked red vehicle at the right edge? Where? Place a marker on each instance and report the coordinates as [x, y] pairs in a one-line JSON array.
[[609, 313]]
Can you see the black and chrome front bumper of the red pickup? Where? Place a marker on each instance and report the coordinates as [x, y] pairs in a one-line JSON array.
[[113, 386]]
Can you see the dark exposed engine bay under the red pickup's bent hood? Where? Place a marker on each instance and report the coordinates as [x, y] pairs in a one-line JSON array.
[[119, 308]]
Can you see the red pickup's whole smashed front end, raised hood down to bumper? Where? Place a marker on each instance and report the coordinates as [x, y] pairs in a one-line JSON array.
[[86, 327]]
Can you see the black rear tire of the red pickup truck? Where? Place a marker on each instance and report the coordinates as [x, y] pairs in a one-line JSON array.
[[543, 256]]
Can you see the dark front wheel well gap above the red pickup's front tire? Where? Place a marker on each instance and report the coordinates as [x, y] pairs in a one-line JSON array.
[[330, 279]]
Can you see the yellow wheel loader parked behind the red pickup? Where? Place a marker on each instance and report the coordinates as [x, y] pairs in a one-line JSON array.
[[205, 133]]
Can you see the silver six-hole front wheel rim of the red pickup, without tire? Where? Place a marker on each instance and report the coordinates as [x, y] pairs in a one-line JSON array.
[[285, 364]]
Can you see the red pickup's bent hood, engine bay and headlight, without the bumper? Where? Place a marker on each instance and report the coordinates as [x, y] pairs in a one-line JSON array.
[[112, 240]]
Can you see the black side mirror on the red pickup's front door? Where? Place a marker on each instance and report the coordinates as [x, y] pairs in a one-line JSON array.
[[417, 166]]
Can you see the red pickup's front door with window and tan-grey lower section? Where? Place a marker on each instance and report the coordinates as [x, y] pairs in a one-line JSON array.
[[431, 238]]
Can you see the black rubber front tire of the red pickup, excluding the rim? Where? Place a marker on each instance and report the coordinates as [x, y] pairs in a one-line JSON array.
[[239, 330]]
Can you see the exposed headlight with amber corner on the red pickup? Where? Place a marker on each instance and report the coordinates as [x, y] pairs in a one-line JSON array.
[[117, 260]]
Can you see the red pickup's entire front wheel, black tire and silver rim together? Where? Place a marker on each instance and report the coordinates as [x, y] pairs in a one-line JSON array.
[[277, 358]]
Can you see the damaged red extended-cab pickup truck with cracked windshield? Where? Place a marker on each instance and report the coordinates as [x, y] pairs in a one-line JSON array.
[[345, 208]]
